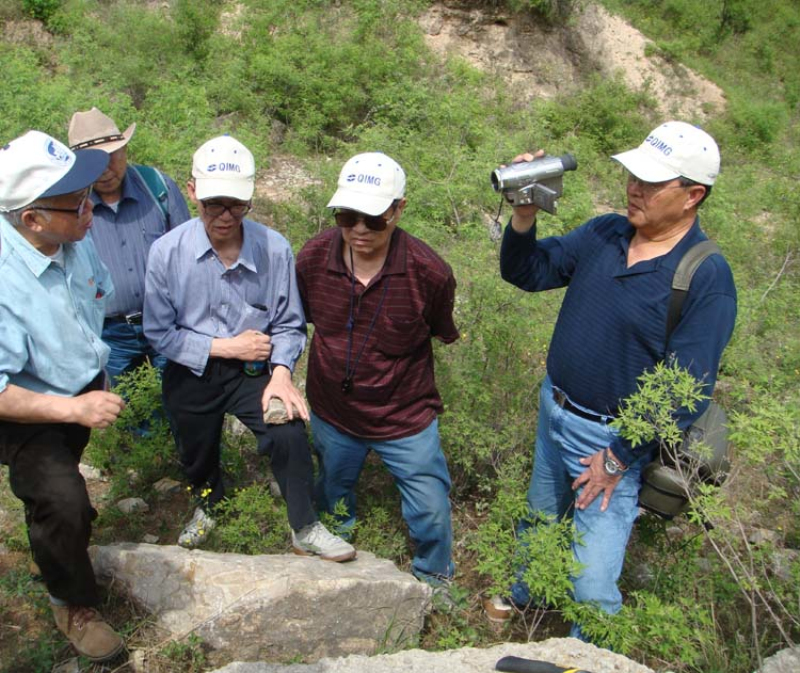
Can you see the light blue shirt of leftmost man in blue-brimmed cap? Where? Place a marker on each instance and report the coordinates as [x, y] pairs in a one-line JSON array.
[[51, 316]]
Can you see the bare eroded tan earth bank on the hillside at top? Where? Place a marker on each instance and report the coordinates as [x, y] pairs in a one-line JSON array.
[[539, 60]]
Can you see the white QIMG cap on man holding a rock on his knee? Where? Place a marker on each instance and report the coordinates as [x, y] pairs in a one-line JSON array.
[[224, 167]]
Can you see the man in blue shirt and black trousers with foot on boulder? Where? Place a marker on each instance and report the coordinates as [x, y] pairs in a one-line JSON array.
[[222, 305]]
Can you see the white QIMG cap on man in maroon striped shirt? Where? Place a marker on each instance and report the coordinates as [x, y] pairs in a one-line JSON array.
[[369, 183]]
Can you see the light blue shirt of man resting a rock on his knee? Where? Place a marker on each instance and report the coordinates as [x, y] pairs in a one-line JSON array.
[[191, 298]]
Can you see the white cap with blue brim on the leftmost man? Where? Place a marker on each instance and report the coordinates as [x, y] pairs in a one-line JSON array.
[[36, 166]]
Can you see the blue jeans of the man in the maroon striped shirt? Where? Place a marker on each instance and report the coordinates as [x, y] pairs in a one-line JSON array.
[[420, 472]]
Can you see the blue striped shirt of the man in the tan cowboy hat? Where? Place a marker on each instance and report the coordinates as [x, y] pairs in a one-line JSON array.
[[123, 238]]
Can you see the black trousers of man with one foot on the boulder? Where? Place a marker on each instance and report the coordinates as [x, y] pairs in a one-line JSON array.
[[197, 406]]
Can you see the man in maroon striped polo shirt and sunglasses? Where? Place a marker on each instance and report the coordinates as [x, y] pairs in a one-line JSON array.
[[377, 296]]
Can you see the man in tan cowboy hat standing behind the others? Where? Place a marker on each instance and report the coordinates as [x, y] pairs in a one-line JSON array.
[[133, 206]]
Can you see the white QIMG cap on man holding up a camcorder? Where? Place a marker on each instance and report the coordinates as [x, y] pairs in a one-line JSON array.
[[673, 150]]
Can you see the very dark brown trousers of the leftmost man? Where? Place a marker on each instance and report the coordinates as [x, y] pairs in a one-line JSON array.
[[43, 463]]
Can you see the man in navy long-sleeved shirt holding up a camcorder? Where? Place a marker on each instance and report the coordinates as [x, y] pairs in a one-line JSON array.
[[612, 328]]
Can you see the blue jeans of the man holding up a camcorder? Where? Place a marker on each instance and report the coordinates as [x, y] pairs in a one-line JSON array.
[[562, 438]]
